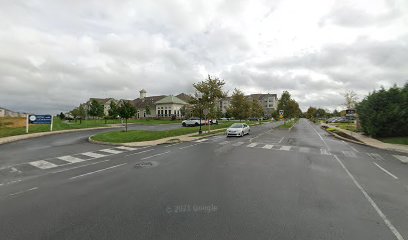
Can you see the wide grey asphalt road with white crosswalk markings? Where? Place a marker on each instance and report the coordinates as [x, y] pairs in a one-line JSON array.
[[271, 184]]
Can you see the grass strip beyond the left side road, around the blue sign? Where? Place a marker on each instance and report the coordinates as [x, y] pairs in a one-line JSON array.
[[65, 125]]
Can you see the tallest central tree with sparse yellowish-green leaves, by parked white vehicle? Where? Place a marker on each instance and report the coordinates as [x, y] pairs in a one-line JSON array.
[[211, 90]]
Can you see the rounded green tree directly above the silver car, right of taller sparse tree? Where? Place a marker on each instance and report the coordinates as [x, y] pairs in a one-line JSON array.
[[240, 107]]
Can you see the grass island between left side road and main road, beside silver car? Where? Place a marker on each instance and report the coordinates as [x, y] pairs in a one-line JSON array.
[[140, 136]]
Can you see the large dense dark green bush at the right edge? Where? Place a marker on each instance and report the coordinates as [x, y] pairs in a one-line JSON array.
[[385, 113]]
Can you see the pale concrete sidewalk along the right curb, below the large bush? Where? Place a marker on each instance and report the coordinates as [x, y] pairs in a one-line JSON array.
[[371, 141]]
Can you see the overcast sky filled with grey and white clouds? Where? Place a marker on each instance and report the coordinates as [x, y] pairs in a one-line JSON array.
[[56, 54]]
